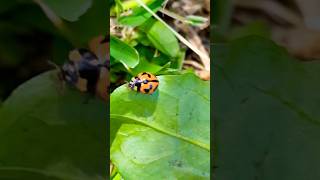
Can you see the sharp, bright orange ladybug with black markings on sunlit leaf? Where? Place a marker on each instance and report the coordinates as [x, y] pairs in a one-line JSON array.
[[144, 82]]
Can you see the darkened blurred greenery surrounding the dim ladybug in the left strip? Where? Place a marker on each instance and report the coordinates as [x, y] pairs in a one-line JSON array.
[[48, 132]]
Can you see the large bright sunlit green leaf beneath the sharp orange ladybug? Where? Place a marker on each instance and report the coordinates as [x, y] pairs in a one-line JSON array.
[[163, 134]]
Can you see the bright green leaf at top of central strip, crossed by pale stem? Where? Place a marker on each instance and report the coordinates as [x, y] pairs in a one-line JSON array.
[[140, 15]]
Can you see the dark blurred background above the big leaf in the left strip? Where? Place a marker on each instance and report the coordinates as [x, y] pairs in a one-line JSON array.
[[33, 32]]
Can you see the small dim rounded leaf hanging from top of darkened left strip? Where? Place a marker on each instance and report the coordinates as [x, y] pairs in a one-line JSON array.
[[69, 10]]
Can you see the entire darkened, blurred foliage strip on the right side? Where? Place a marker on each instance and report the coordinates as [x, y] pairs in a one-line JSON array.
[[266, 84]]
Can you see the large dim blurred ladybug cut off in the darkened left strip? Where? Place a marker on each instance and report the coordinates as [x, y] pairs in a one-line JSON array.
[[86, 71]]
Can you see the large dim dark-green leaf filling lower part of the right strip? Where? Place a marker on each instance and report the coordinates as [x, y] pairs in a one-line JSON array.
[[267, 118]]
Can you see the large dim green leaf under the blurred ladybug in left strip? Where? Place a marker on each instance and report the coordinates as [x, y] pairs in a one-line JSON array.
[[44, 127]]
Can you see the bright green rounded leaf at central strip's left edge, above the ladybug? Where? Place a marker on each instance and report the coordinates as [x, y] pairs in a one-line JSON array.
[[124, 53]]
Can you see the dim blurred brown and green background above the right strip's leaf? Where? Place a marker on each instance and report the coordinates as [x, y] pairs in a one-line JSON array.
[[292, 24]]
